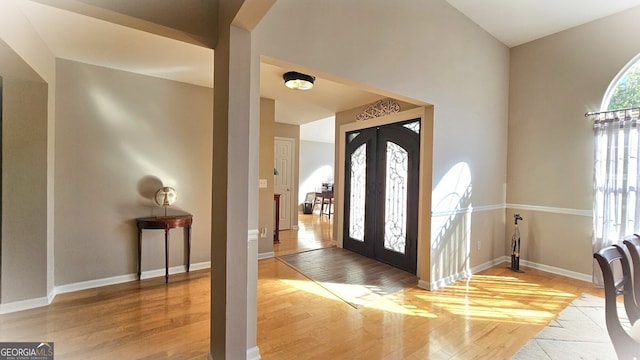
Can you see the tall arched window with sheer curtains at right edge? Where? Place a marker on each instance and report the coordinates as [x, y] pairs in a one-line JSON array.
[[616, 182]]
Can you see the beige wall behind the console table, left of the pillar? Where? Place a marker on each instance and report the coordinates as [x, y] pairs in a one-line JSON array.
[[120, 136]]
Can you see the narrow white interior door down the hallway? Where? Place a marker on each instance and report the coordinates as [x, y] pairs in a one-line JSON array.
[[283, 182]]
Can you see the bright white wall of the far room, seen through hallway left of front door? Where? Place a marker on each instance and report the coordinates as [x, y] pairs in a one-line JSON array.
[[316, 166]]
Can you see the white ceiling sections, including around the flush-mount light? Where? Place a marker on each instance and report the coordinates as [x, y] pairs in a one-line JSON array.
[[117, 45]]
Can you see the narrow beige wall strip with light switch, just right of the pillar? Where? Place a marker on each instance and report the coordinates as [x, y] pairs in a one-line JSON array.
[[266, 205]]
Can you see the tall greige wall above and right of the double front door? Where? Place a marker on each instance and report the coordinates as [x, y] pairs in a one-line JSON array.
[[425, 50]]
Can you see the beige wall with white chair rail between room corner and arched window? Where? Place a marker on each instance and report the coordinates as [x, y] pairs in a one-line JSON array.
[[554, 82]]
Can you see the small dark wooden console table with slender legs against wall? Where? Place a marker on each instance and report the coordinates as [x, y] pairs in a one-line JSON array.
[[165, 223]]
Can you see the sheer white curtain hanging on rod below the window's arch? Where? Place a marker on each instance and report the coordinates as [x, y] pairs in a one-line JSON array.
[[616, 208]]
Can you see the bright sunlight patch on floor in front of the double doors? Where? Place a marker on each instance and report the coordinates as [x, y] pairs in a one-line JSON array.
[[481, 297]]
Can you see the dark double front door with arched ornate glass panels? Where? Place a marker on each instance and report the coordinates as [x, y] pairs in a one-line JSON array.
[[381, 193]]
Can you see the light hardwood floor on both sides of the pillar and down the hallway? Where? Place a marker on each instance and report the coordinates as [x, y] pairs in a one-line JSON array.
[[489, 316]]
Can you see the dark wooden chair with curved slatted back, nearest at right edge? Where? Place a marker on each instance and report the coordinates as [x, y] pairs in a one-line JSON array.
[[611, 259]]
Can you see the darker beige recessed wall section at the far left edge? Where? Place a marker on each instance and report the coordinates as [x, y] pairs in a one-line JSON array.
[[24, 187]]
